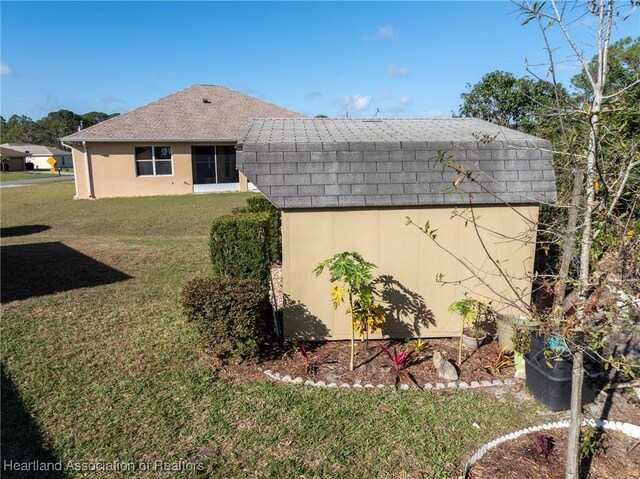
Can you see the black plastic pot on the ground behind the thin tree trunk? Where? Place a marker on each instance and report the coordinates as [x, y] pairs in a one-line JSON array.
[[551, 383]]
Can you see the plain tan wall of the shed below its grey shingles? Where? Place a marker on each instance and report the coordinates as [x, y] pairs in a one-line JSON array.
[[408, 262]]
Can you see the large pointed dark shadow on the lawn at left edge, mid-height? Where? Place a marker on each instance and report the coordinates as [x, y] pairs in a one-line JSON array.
[[37, 269]]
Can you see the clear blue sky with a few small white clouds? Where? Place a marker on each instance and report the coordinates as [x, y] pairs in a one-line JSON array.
[[405, 59]]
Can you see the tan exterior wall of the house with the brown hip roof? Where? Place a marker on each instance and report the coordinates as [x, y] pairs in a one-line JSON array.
[[113, 171]]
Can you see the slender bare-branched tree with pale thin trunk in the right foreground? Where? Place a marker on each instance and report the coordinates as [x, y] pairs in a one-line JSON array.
[[600, 94]]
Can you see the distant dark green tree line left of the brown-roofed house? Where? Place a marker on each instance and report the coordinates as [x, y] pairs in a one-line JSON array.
[[48, 130]]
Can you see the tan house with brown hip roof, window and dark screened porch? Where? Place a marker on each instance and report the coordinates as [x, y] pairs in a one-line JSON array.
[[179, 144]]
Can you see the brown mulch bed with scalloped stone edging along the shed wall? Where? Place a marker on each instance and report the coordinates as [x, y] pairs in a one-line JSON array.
[[372, 365]]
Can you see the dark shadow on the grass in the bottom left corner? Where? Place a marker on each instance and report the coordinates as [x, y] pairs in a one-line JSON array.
[[21, 438]]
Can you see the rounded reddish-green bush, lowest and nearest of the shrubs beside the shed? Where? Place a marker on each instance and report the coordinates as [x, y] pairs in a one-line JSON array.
[[232, 314]]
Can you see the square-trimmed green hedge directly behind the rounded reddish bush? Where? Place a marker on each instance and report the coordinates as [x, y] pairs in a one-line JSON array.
[[238, 246]]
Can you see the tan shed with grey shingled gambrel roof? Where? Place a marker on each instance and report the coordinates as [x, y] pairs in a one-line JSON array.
[[350, 184]]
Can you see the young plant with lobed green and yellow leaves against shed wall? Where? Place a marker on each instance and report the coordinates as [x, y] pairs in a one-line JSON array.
[[351, 277]]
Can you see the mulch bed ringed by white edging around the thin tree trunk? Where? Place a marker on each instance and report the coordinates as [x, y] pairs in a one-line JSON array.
[[618, 457]]
